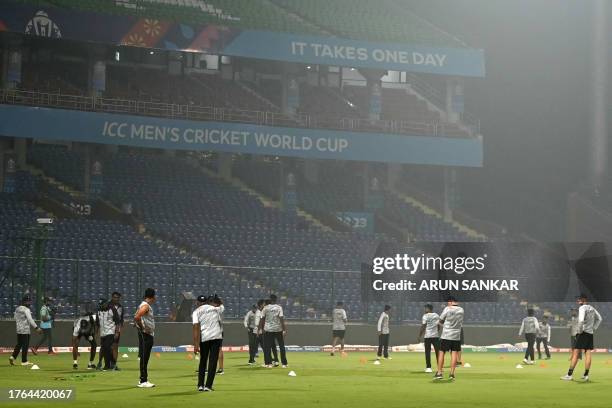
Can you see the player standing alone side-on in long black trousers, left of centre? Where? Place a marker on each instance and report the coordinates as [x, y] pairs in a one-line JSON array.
[[145, 323]]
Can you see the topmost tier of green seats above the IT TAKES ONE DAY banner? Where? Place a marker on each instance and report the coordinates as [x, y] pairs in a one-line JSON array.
[[380, 20]]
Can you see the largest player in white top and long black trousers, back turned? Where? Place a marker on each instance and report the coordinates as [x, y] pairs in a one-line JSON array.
[[208, 339]]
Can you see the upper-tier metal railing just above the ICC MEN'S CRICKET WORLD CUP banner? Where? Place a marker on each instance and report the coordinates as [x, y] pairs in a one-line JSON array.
[[212, 113]]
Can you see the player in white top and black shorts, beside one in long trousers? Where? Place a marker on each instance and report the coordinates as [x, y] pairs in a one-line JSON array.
[[451, 321]]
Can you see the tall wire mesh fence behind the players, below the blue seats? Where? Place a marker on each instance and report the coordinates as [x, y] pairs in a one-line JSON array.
[[305, 294]]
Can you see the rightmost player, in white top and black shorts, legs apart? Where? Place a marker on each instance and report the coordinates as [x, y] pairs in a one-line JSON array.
[[589, 320]]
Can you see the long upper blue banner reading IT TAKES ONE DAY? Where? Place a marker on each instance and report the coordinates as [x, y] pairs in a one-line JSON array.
[[53, 22]]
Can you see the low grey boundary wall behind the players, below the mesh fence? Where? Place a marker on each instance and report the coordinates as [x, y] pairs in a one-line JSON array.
[[310, 334]]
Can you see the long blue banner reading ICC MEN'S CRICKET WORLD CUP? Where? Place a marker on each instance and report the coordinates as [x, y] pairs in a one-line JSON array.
[[143, 131]]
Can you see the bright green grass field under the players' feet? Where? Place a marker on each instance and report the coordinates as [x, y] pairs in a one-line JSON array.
[[492, 381]]
